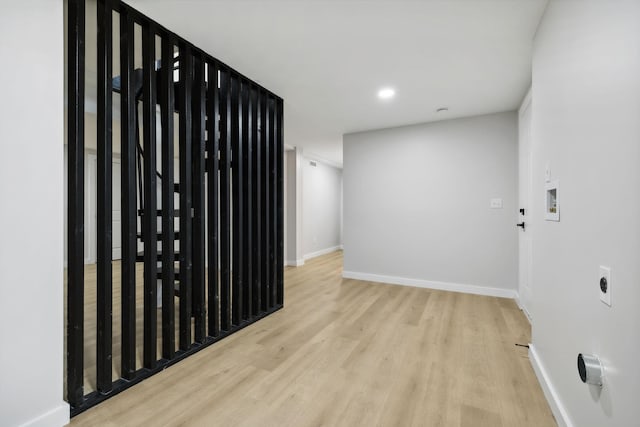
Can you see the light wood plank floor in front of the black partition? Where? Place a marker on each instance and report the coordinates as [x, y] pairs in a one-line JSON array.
[[350, 353]]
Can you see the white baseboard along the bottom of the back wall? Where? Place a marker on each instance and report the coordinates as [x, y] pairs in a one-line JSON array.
[[429, 284]]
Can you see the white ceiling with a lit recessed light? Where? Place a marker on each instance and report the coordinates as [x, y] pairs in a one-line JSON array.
[[328, 59]]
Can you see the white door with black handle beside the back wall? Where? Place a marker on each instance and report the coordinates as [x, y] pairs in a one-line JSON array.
[[525, 215]]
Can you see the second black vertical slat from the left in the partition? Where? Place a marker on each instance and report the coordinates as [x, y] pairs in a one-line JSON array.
[[104, 196]]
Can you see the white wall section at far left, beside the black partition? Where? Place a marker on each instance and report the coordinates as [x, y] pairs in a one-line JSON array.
[[31, 188]]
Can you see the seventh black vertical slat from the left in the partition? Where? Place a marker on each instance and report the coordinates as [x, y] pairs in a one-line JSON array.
[[199, 115]]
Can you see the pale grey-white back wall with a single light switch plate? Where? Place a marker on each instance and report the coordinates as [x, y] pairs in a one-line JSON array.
[[417, 204]]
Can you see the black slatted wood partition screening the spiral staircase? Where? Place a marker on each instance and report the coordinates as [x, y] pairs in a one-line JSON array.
[[201, 151]]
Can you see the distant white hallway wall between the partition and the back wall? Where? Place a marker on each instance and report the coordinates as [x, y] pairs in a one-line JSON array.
[[321, 207]]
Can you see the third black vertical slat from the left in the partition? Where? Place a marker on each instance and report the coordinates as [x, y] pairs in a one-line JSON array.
[[128, 196]]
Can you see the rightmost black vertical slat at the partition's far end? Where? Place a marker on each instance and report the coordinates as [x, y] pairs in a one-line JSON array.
[[274, 185]]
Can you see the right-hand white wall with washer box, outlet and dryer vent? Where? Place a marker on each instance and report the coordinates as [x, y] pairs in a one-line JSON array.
[[586, 110]]
